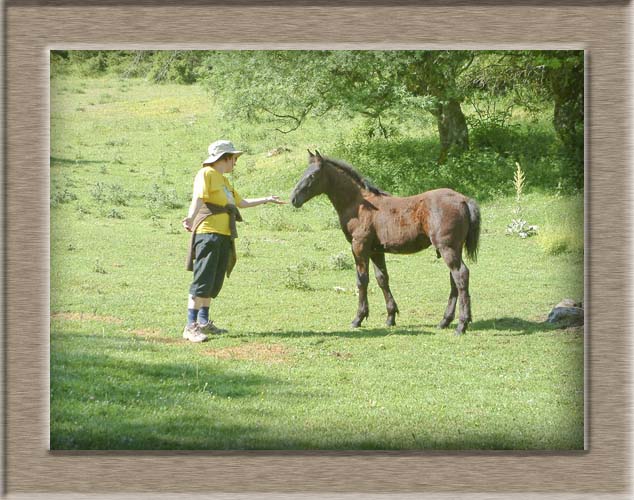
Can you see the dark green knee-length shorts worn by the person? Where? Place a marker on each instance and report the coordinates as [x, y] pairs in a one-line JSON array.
[[210, 265]]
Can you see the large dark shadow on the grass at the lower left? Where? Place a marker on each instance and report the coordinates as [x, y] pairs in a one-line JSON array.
[[104, 396]]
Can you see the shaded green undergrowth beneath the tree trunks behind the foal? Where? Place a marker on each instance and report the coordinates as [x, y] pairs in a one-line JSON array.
[[405, 165]]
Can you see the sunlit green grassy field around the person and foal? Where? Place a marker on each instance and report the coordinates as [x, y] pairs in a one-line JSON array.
[[290, 374]]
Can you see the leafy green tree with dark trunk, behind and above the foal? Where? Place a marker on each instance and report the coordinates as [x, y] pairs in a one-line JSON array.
[[288, 86]]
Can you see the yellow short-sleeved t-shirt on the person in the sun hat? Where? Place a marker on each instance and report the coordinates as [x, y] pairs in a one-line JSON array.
[[213, 187]]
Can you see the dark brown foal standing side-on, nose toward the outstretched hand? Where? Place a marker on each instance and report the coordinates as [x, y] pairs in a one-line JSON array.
[[375, 222]]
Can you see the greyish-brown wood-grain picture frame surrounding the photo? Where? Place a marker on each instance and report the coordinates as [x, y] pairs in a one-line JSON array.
[[33, 27]]
